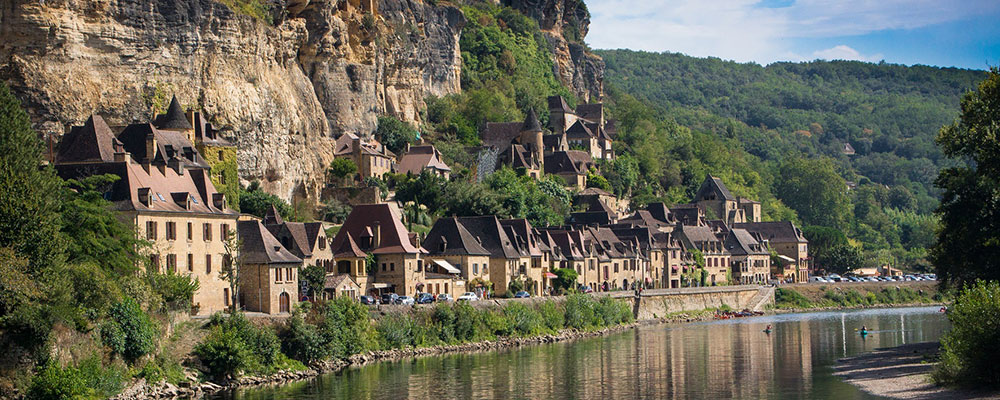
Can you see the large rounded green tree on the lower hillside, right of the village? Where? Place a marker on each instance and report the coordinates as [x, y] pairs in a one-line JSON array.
[[815, 191]]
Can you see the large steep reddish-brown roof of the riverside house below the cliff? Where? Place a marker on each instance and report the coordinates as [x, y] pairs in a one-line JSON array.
[[394, 238]]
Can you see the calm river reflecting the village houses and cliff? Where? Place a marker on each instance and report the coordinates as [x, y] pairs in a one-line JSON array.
[[717, 359]]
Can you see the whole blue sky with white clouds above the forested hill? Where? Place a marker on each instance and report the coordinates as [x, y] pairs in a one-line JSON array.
[[945, 33]]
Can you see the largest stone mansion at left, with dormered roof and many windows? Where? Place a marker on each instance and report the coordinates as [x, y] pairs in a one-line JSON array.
[[165, 191]]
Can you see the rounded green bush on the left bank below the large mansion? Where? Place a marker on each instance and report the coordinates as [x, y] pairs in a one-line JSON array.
[[129, 331]]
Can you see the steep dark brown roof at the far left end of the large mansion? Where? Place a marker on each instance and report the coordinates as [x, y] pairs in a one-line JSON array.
[[92, 142]]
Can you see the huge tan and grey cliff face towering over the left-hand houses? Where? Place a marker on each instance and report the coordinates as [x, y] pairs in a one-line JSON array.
[[280, 91]]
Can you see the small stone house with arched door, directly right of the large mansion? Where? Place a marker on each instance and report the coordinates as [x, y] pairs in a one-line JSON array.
[[269, 272]]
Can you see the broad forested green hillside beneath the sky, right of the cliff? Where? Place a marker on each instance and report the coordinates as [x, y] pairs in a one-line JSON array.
[[779, 132]]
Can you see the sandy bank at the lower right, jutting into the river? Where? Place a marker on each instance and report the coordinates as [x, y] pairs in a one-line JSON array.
[[901, 373]]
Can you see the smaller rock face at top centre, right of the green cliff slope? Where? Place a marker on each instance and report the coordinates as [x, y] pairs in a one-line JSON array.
[[565, 23]]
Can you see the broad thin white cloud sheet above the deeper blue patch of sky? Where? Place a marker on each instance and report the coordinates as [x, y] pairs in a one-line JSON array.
[[742, 30]]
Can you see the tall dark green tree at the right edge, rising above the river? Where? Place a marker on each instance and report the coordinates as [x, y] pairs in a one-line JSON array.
[[968, 241]]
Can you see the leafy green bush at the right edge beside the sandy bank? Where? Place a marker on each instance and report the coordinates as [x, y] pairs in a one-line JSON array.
[[970, 350]]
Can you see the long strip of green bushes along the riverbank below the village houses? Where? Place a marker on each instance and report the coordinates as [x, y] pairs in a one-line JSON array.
[[340, 328]]
